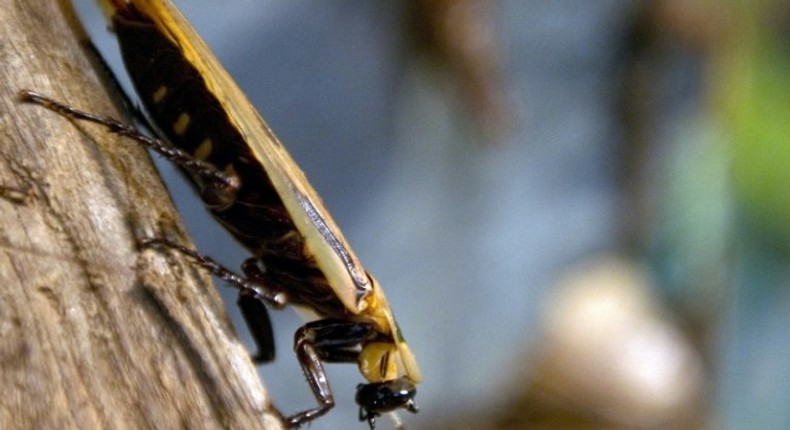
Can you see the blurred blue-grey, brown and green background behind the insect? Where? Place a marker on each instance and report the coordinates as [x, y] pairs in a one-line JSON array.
[[580, 211]]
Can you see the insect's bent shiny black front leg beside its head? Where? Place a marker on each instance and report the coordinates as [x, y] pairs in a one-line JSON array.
[[330, 340]]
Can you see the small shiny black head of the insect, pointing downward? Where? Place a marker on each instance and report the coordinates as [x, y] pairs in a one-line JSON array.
[[377, 398]]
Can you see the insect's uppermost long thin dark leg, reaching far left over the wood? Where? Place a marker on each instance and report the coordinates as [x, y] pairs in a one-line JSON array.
[[220, 188]]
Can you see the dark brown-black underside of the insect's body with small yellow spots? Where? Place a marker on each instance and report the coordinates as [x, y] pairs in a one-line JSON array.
[[178, 101]]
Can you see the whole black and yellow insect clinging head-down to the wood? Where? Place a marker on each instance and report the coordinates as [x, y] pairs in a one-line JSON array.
[[256, 191]]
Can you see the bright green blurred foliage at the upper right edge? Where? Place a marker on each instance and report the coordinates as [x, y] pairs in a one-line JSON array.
[[758, 119]]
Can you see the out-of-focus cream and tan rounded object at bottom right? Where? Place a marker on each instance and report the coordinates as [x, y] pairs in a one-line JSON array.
[[609, 358]]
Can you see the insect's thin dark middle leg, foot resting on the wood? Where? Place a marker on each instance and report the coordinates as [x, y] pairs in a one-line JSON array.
[[245, 285]]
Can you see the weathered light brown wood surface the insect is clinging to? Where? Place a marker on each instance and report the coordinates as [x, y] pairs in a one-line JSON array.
[[94, 332]]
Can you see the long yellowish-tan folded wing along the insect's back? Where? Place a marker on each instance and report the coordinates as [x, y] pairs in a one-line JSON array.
[[323, 239]]
